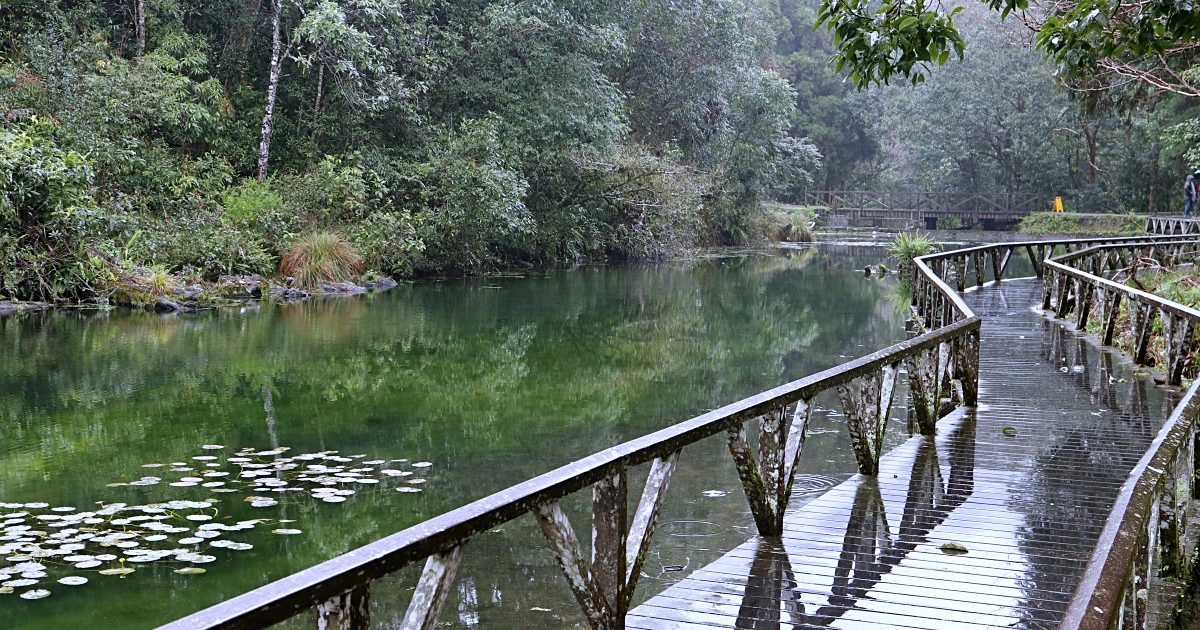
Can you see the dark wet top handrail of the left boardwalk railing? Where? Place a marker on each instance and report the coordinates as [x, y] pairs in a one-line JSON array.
[[305, 590]]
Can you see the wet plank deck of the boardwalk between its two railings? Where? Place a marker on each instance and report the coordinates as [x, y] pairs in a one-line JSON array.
[[1028, 505]]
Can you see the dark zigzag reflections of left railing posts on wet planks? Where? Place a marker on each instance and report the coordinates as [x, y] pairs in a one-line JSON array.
[[871, 548]]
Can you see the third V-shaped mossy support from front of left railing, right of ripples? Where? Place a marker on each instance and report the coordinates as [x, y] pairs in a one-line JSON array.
[[867, 415]]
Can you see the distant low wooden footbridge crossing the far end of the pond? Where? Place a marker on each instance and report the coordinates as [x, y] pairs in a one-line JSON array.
[[991, 211]]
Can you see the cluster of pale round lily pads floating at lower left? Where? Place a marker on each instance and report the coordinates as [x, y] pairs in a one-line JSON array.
[[43, 544]]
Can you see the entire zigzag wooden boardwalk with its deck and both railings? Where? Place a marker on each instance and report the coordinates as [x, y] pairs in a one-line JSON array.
[[1047, 483]]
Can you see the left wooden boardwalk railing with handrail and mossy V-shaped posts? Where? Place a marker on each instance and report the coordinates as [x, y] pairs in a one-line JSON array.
[[765, 434]]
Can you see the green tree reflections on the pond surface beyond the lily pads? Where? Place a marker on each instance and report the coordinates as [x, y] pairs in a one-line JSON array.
[[589, 349]]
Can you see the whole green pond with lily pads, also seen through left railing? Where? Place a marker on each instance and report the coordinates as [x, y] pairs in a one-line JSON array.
[[488, 381]]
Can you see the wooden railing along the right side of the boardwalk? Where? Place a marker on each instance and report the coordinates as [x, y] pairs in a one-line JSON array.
[[1145, 539]]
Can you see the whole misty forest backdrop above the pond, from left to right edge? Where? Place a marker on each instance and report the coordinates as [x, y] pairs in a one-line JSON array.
[[181, 141]]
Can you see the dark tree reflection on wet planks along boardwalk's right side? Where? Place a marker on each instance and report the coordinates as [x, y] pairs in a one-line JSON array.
[[1078, 473]]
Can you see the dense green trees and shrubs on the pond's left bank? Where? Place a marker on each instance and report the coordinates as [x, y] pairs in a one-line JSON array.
[[436, 136]]
